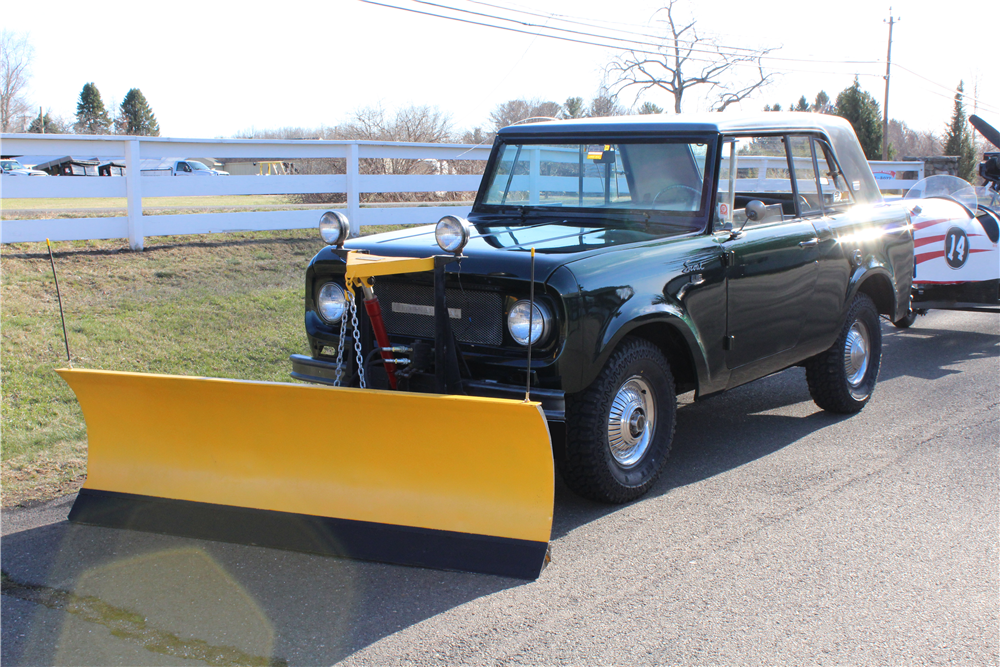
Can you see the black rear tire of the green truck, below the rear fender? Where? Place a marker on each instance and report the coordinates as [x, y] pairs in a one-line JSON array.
[[829, 373]]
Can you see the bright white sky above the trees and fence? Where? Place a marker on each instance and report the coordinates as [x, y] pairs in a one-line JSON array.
[[215, 68]]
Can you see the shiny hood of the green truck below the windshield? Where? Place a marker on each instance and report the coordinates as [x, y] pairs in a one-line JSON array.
[[502, 248]]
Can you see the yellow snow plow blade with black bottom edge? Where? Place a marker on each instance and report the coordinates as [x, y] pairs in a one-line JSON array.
[[450, 482]]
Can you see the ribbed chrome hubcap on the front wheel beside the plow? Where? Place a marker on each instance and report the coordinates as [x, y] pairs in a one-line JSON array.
[[631, 421]]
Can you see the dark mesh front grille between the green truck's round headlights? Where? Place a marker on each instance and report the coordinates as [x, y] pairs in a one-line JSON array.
[[408, 310]]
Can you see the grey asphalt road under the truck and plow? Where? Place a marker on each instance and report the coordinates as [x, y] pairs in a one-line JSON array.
[[778, 535]]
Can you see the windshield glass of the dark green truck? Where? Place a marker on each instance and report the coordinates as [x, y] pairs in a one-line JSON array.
[[643, 176]]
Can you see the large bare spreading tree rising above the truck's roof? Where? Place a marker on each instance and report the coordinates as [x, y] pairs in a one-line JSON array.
[[684, 51]]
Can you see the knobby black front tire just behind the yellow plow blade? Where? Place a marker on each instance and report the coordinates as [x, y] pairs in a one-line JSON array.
[[589, 467]]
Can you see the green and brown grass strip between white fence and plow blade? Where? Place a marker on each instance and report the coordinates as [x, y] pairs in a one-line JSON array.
[[223, 305]]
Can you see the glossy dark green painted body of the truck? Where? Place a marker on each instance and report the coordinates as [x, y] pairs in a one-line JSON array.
[[727, 307]]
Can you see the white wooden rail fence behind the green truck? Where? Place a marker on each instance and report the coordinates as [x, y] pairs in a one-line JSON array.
[[134, 186]]
